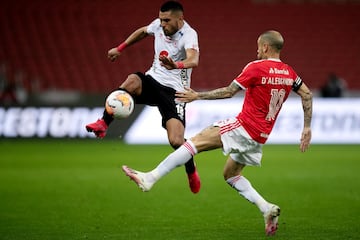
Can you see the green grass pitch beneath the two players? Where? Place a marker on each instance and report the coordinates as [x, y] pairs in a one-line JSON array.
[[75, 189]]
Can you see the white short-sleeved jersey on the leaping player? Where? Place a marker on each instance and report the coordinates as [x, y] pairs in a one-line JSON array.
[[175, 47]]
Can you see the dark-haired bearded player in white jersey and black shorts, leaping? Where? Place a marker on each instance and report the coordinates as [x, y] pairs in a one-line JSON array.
[[176, 53]]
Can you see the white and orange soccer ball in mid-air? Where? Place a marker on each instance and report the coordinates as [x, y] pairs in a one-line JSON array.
[[119, 104]]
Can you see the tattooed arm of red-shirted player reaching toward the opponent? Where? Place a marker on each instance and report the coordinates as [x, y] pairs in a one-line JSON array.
[[225, 92]]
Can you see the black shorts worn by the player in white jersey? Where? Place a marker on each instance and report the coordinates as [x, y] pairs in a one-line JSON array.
[[155, 94]]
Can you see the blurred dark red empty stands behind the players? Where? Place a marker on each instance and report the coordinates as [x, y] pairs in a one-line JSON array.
[[61, 46]]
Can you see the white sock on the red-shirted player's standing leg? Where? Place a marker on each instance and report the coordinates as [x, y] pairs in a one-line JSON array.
[[243, 186]]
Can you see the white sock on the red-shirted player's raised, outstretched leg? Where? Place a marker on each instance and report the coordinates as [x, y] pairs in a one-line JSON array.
[[179, 157]]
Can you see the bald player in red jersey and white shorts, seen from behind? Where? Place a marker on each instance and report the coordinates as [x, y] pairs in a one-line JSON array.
[[267, 82]]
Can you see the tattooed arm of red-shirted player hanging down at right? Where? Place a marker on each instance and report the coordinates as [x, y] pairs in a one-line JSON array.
[[306, 99]]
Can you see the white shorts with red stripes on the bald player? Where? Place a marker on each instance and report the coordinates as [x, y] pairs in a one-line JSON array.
[[238, 143]]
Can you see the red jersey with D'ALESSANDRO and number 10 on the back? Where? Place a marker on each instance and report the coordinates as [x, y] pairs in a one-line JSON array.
[[268, 84]]
